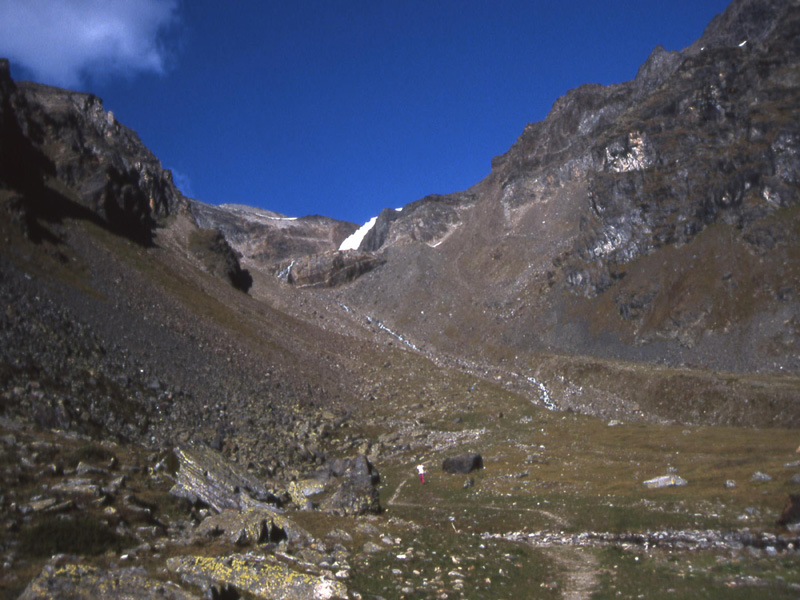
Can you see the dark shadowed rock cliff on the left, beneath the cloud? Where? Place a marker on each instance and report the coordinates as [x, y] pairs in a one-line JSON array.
[[51, 134]]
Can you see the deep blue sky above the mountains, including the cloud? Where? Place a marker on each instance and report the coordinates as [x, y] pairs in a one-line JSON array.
[[336, 107]]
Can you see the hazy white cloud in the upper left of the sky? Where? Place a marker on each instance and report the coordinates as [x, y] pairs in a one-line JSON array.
[[65, 42]]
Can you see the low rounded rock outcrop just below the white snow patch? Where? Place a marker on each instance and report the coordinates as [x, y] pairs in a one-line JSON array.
[[328, 269]]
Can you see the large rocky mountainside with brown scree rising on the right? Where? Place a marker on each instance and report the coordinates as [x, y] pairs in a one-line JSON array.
[[651, 220]]
